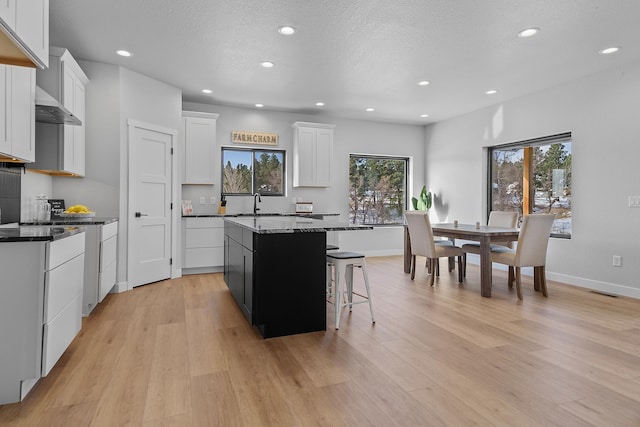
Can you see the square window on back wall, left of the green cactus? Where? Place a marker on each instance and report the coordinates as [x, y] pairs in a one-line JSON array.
[[377, 189]]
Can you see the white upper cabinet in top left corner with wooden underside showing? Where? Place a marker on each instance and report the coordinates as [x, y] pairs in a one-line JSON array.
[[24, 32]]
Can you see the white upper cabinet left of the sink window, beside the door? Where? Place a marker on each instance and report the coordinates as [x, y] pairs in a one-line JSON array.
[[201, 154]]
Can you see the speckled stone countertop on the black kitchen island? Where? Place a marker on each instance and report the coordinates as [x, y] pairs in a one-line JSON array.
[[280, 224]]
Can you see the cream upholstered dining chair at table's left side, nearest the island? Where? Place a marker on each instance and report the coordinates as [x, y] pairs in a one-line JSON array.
[[422, 244]]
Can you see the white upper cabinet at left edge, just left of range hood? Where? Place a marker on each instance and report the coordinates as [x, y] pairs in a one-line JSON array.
[[17, 114]]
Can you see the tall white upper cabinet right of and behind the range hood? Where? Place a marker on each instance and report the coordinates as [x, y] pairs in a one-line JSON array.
[[60, 149]]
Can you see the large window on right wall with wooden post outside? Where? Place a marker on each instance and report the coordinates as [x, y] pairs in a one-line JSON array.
[[534, 177]]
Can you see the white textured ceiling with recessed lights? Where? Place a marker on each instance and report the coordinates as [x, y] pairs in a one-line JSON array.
[[354, 54]]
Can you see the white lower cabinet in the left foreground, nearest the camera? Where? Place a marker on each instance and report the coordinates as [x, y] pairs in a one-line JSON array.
[[40, 309]]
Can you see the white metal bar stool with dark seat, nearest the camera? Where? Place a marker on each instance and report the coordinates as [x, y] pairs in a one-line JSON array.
[[343, 264]]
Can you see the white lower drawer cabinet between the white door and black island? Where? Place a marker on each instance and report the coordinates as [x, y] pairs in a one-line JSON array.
[[203, 244]]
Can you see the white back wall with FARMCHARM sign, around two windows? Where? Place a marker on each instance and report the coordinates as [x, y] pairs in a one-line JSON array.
[[350, 136]]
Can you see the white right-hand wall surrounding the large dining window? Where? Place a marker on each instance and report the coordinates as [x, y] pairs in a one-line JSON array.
[[601, 111]]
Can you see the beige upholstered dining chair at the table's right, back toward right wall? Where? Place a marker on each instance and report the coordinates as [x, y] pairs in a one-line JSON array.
[[530, 251]]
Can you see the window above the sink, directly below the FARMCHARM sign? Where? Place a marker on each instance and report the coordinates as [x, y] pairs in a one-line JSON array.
[[249, 171]]
